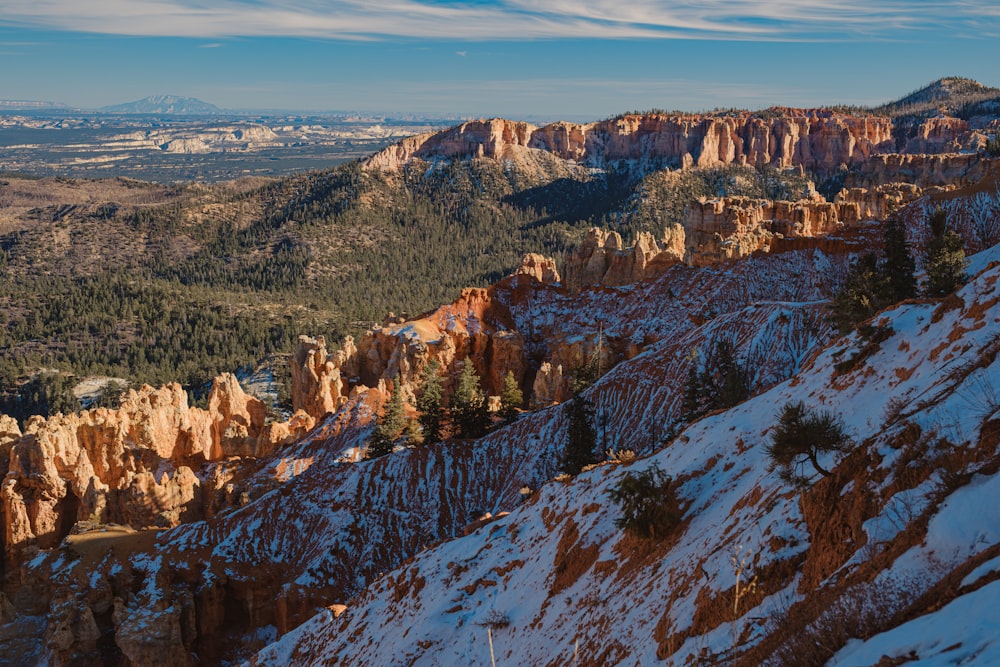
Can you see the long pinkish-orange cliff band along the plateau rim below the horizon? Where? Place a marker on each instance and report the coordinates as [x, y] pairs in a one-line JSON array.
[[817, 139]]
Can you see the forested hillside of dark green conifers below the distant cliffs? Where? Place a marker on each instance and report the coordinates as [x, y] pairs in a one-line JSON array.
[[153, 284]]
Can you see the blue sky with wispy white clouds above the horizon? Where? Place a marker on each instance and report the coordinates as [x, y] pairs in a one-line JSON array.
[[546, 59]]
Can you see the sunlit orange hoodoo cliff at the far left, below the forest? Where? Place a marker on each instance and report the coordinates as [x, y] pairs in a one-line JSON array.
[[135, 465]]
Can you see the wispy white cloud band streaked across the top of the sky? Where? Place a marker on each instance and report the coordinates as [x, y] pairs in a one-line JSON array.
[[777, 20]]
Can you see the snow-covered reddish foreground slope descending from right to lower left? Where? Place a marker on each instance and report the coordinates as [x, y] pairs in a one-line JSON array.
[[907, 523]]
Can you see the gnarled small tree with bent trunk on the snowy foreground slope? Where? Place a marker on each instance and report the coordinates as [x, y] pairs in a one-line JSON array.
[[800, 436]]
